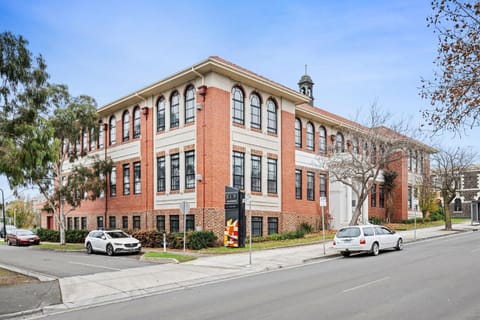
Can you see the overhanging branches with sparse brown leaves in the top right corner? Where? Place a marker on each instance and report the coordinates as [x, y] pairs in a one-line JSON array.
[[454, 93]]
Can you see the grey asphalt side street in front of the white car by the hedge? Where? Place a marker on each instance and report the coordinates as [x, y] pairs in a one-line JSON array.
[[63, 264]]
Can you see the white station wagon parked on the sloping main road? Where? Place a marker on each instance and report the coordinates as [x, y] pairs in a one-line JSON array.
[[366, 238]]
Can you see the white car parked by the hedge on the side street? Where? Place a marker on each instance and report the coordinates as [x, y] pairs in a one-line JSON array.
[[111, 242]]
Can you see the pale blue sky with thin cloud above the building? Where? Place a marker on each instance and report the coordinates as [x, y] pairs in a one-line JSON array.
[[358, 53]]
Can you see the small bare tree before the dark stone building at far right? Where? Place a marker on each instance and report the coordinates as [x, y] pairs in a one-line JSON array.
[[448, 166]]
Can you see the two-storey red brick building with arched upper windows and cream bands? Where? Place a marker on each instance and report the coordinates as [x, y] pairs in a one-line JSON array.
[[213, 125]]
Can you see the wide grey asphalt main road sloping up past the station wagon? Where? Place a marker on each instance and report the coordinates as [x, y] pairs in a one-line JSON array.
[[435, 279]]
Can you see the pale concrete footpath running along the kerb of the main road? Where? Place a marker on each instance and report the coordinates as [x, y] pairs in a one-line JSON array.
[[105, 287]]
